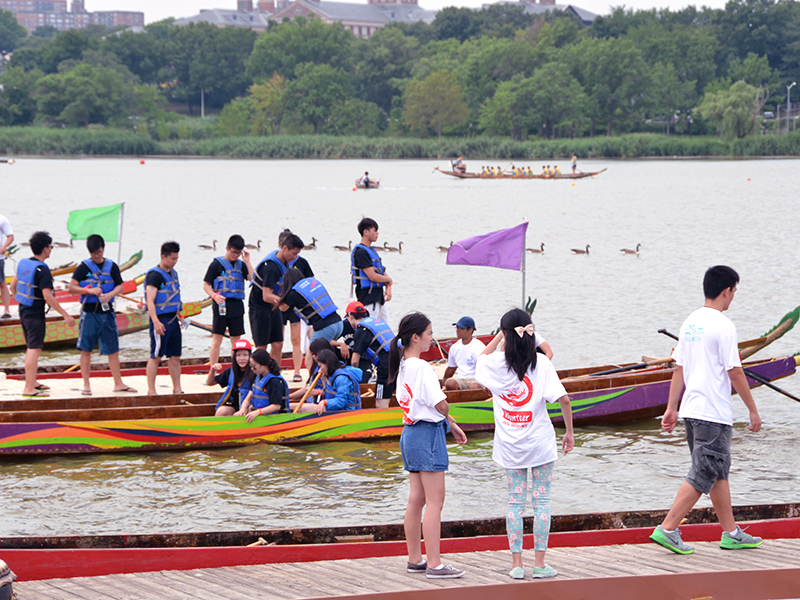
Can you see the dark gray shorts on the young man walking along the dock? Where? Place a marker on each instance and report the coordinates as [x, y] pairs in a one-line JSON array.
[[710, 445]]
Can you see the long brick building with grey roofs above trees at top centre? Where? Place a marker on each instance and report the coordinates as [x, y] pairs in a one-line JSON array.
[[362, 20]]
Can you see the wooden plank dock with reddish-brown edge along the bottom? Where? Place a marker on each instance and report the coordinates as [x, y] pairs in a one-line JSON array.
[[598, 572]]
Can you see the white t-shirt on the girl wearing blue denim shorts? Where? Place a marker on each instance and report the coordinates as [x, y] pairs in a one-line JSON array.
[[418, 391]]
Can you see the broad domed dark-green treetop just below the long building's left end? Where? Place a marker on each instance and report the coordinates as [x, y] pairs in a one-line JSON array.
[[283, 47]]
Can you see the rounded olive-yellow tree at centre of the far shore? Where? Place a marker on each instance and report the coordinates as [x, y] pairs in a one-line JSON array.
[[435, 103]]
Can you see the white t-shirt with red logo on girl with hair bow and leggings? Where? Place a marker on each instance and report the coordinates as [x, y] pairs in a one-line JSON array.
[[523, 433]]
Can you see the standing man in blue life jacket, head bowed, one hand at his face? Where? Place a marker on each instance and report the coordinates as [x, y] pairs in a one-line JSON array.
[[225, 282]]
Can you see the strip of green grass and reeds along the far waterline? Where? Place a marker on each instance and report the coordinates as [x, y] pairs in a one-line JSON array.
[[115, 142]]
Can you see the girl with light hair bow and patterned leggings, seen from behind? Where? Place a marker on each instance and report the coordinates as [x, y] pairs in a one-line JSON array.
[[522, 381]]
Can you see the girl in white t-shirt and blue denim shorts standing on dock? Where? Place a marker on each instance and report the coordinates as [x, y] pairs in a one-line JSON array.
[[422, 443]]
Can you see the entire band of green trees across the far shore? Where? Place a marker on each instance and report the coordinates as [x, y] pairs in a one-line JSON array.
[[497, 71]]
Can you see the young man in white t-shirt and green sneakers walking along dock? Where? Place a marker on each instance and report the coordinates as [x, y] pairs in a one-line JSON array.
[[707, 358]]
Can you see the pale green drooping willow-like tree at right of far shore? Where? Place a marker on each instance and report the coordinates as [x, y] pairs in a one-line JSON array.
[[733, 111]]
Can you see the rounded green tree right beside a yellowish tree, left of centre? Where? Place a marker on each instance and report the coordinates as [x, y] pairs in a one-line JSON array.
[[314, 93]]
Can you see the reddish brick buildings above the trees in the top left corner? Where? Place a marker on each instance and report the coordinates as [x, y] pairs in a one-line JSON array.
[[40, 13]]
